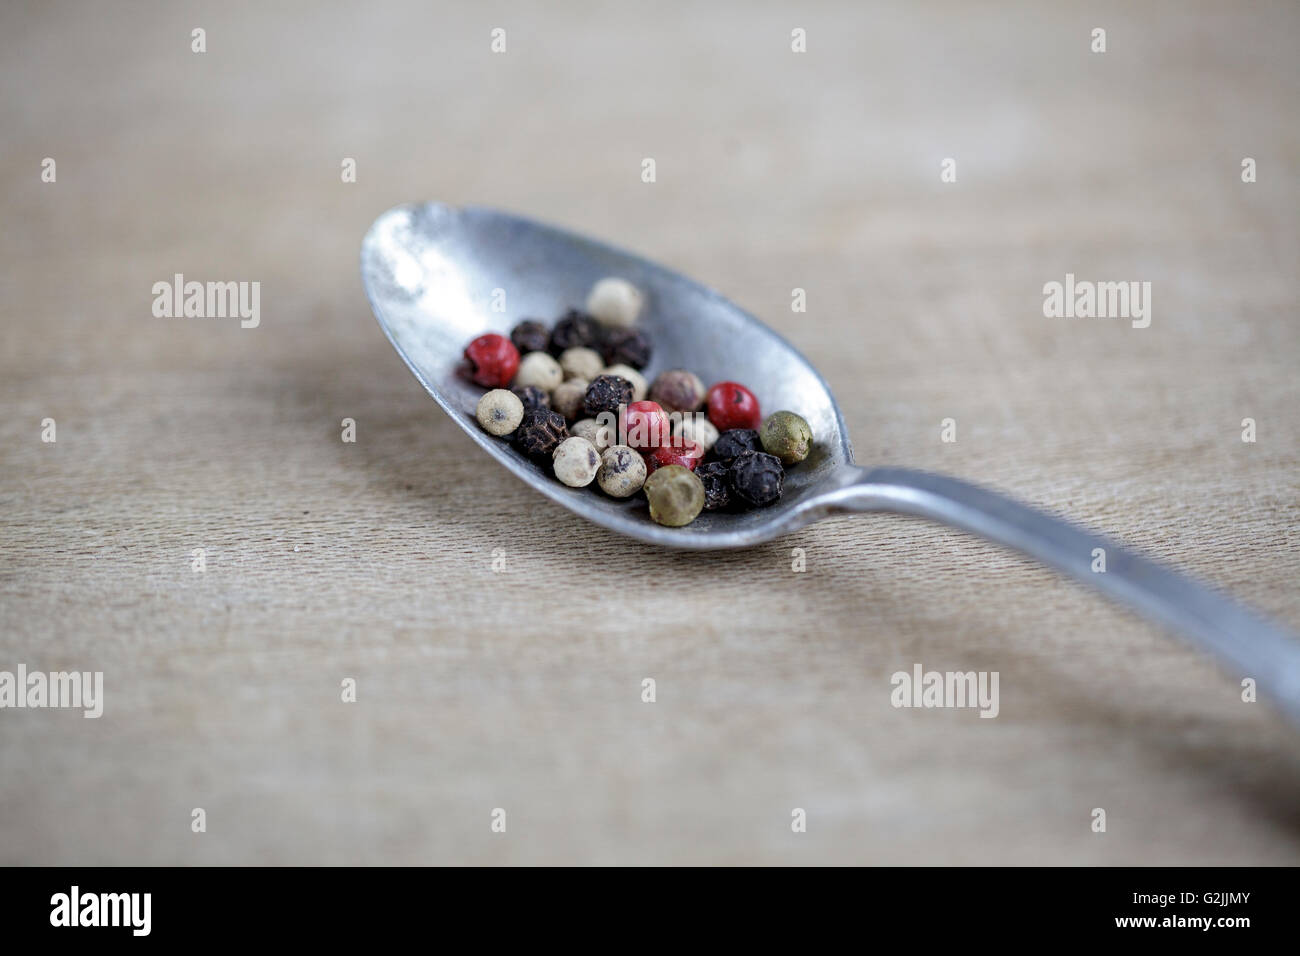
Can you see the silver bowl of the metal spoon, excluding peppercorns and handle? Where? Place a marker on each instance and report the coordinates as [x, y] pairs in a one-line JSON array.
[[435, 272]]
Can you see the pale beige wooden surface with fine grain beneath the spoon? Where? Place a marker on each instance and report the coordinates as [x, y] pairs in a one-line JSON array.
[[522, 690]]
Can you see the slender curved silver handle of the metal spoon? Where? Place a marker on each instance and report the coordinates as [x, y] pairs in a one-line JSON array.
[[1247, 644]]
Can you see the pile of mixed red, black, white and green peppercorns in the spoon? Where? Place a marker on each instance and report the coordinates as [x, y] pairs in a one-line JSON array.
[[571, 393]]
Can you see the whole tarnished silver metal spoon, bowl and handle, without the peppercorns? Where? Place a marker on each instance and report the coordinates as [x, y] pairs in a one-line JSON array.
[[434, 275]]
